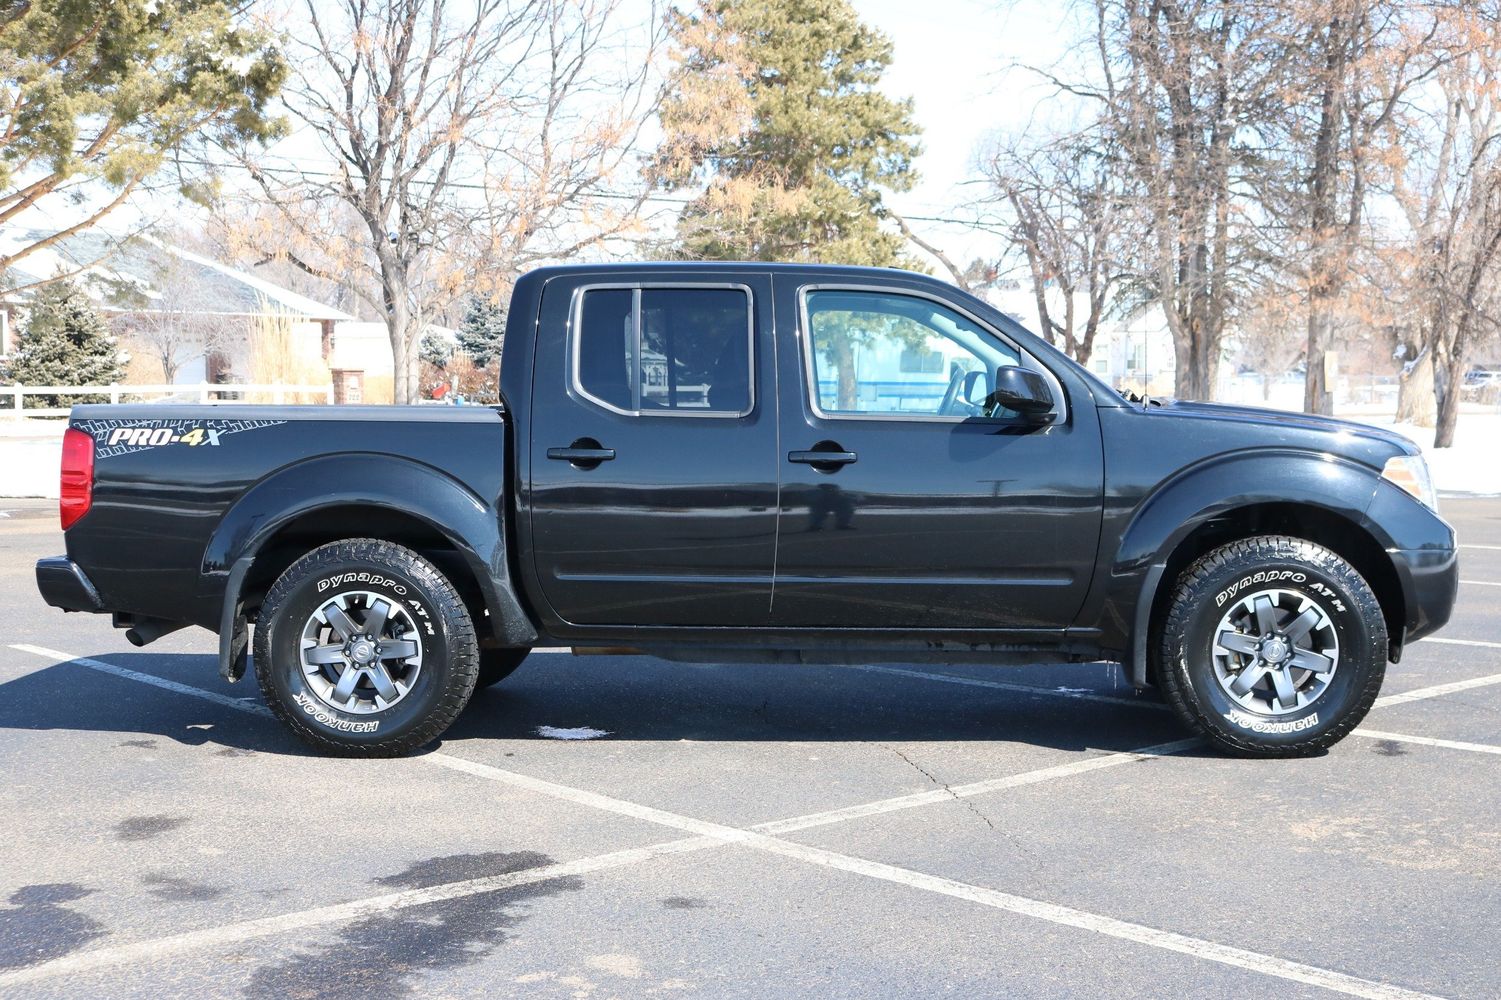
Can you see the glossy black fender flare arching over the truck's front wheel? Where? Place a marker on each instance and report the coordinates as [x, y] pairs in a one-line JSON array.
[[1214, 489]]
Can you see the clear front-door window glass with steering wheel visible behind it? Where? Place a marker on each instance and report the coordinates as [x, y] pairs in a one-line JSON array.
[[876, 354]]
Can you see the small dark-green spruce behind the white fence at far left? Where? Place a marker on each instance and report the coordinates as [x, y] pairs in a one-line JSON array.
[[65, 343]]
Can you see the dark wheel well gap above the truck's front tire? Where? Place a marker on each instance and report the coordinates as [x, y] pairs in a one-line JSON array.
[[1316, 525]]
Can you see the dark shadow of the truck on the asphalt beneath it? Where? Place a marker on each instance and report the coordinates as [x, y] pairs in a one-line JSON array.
[[628, 697]]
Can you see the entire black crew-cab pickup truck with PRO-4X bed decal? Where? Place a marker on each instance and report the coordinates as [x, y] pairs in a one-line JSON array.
[[763, 463]]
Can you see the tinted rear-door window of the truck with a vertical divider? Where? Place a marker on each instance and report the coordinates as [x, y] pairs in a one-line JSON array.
[[666, 351]]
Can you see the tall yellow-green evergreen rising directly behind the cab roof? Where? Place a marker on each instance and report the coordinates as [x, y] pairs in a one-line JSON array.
[[774, 109]]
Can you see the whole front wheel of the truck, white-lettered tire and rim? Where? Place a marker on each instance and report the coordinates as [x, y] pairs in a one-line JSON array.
[[1230, 676]]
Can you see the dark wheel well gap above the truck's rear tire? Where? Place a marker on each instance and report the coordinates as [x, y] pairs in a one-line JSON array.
[[319, 528]]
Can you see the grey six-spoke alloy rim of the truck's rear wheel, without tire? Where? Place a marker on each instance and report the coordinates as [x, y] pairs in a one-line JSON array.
[[361, 652]]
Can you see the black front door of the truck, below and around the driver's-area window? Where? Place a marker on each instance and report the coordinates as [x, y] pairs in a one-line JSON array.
[[901, 505]]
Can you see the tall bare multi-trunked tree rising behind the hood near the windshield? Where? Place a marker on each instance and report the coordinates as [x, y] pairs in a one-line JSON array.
[[1184, 88]]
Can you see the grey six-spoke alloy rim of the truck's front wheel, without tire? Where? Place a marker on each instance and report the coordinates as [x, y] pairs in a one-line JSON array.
[[1275, 652]]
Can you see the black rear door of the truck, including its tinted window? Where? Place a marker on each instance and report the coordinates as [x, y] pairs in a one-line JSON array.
[[654, 450]]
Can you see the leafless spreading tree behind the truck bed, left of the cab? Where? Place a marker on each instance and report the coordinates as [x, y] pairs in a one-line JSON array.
[[468, 142]]
